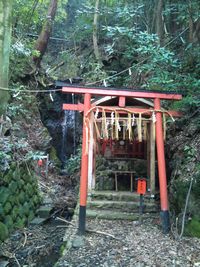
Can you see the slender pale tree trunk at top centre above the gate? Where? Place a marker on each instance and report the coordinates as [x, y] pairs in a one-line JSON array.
[[95, 32]]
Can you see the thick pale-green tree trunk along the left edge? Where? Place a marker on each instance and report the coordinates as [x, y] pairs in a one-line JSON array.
[[5, 41]]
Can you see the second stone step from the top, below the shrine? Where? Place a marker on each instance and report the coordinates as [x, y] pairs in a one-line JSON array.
[[124, 206]]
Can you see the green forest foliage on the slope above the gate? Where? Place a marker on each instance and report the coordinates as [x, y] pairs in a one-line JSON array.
[[158, 40]]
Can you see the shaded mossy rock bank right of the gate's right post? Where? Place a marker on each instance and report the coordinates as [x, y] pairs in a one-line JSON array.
[[183, 151]]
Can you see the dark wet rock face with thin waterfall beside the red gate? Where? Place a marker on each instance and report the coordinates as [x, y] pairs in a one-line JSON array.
[[63, 126]]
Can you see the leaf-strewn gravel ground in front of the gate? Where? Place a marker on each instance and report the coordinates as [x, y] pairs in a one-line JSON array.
[[136, 245]]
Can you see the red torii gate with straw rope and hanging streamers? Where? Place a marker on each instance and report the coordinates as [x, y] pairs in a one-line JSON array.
[[122, 121]]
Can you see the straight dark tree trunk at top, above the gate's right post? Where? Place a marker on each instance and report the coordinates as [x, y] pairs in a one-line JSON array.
[[160, 22]]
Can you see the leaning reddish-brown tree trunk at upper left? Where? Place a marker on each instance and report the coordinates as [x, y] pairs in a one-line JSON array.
[[42, 41]]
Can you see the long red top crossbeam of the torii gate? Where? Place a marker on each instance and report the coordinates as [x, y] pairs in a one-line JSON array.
[[96, 91]]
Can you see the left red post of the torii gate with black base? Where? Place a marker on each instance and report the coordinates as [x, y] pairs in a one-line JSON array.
[[84, 169]]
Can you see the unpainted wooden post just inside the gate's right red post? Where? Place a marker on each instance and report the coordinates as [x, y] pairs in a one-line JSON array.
[[152, 158]]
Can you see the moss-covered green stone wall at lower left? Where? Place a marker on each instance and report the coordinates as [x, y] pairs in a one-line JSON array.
[[19, 199]]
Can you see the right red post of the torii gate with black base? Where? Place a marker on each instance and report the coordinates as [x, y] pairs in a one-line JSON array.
[[161, 168]]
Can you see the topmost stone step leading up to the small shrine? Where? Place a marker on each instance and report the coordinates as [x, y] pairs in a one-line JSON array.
[[118, 196]]
